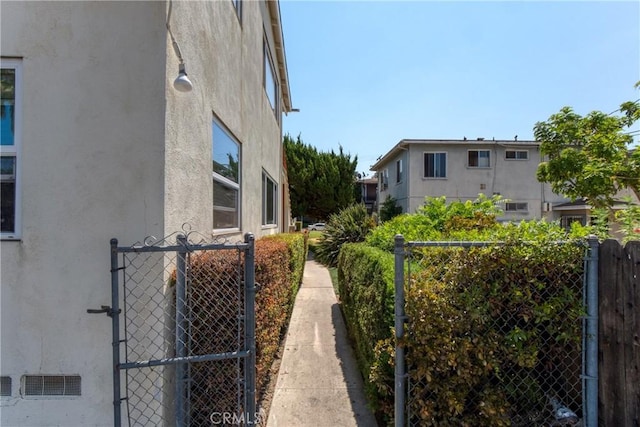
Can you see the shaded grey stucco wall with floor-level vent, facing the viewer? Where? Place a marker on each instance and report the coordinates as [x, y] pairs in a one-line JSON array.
[[92, 169]]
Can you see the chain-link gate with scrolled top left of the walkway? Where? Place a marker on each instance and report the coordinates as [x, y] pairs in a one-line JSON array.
[[183, 333]]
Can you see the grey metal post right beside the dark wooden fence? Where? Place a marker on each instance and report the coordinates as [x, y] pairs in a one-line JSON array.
[[590, 372]]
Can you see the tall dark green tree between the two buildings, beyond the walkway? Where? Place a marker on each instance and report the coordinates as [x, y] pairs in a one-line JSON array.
[[320, 184]]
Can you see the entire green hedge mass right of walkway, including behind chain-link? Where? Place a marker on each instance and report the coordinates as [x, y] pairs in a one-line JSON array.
[[480, 317]]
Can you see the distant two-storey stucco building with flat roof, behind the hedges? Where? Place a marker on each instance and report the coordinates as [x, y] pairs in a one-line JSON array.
[[461, 170]]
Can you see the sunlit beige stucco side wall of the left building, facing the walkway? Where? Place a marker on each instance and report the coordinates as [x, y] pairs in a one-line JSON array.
[[224, 61]]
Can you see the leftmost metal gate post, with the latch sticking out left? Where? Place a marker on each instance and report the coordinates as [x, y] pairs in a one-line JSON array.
[[115, 332]]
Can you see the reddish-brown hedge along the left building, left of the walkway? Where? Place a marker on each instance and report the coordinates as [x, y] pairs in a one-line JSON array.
[[279, 263]]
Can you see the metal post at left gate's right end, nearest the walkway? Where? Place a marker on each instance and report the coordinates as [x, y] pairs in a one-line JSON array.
[[250, 331]]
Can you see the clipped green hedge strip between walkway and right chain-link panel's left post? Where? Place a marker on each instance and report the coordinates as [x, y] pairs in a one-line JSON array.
[[365, 284]]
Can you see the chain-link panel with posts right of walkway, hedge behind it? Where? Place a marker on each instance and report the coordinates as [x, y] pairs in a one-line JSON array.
[[488, 341]]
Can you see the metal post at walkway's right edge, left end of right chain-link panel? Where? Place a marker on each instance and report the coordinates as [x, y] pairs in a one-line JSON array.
[[399, 407]]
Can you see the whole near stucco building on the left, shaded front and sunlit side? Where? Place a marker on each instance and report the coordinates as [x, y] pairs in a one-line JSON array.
[[97, 143]]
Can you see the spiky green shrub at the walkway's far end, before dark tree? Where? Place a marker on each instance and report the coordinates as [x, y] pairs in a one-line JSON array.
[[350, 225]]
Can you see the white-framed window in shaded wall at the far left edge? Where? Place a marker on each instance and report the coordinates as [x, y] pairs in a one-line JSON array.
[[10, 120]]
